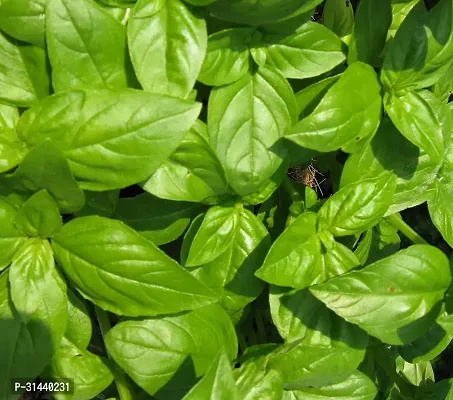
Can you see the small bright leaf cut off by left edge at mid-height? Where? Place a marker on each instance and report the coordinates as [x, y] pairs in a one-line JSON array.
[[10, 238]]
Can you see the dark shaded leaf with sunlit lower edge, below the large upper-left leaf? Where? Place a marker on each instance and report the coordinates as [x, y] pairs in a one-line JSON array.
[[158, 220]]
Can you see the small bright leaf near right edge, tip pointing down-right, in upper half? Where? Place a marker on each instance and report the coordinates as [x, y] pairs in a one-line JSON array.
[[417, 120]]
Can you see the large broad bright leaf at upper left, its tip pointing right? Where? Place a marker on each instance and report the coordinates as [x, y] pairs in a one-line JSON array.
[[111, 139]]
